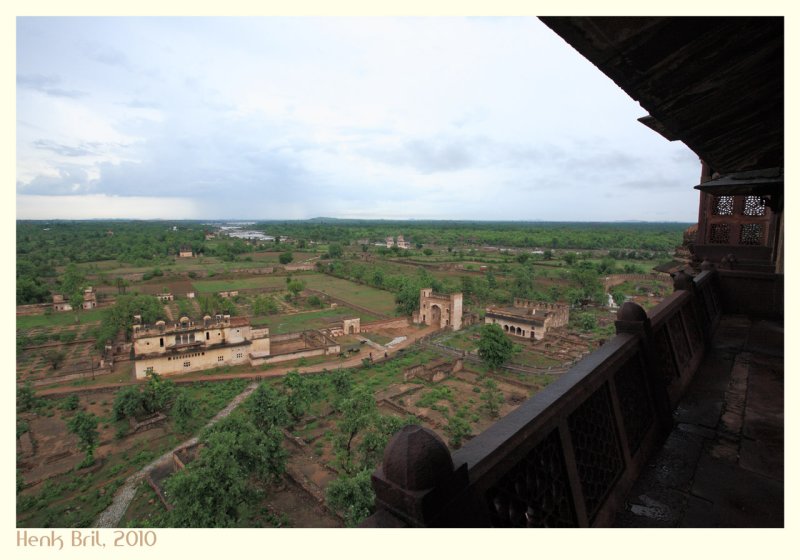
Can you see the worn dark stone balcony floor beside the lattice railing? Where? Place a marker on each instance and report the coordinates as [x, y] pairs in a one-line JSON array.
[[722, 464]]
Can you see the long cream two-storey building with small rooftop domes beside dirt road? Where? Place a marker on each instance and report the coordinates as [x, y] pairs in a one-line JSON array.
[[192, 346]]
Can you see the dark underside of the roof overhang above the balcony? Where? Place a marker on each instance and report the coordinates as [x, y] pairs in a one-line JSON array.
[[715, 83]]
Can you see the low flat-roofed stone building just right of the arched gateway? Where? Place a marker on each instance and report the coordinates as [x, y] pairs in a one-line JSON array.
[[528, 319]]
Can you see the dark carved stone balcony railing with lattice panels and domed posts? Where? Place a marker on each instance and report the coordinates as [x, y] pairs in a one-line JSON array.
[[568, 456]]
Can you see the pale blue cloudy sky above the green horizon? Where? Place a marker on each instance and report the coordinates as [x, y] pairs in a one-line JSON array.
[[291, 118]]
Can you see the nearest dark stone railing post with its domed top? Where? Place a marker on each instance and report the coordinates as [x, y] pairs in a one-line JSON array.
[[416, 482]]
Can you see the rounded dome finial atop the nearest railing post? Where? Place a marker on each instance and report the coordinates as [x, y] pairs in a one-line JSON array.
[[417, 459]]
